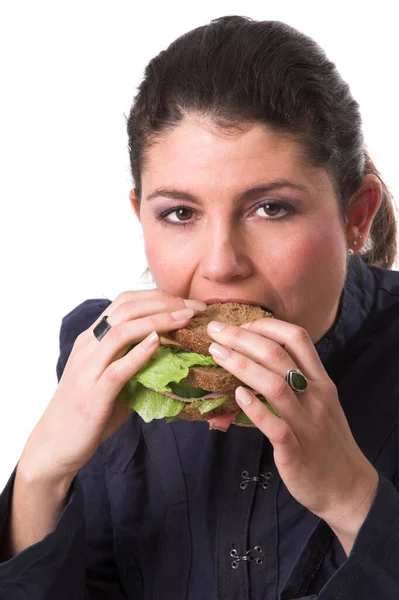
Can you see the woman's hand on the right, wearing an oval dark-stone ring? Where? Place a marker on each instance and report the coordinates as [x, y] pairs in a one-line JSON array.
[[314, 450]]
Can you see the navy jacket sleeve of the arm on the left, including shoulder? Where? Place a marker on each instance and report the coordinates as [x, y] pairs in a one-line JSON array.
[[76, 559]]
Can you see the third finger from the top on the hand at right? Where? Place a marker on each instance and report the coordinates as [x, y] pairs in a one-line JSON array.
[[271, 385]]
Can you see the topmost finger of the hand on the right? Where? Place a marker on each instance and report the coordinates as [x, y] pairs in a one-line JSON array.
[[296, 341]]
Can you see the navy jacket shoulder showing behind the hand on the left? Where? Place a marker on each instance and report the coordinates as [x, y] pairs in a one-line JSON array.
[[74, 323]]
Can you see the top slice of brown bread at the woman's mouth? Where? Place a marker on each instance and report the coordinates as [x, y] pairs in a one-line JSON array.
[[194, 336]]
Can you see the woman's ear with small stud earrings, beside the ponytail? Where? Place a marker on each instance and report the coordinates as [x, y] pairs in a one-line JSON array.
[[362, 208]]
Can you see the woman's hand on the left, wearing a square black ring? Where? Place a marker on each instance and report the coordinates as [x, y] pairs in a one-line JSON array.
[[83, 411]]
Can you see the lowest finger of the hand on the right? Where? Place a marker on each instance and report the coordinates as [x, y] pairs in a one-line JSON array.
[[277, 430]]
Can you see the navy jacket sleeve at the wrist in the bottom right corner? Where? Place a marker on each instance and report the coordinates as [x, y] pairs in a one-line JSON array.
[[372, 568]]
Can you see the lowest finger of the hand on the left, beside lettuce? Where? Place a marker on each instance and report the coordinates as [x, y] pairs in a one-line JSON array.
[[120, 371]]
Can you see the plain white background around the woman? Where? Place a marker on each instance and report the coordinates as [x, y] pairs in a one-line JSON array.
[[68, 74]]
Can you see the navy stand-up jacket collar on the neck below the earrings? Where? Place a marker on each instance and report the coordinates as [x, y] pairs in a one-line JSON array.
[[356, 301]]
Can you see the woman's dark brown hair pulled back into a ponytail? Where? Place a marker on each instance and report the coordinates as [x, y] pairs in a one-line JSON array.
[[236, 71]]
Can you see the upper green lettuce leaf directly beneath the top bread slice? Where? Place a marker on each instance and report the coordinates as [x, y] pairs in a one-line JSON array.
[[169, 365]]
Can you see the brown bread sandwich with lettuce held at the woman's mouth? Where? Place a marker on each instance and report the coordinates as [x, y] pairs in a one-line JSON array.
[[182, 381]]
